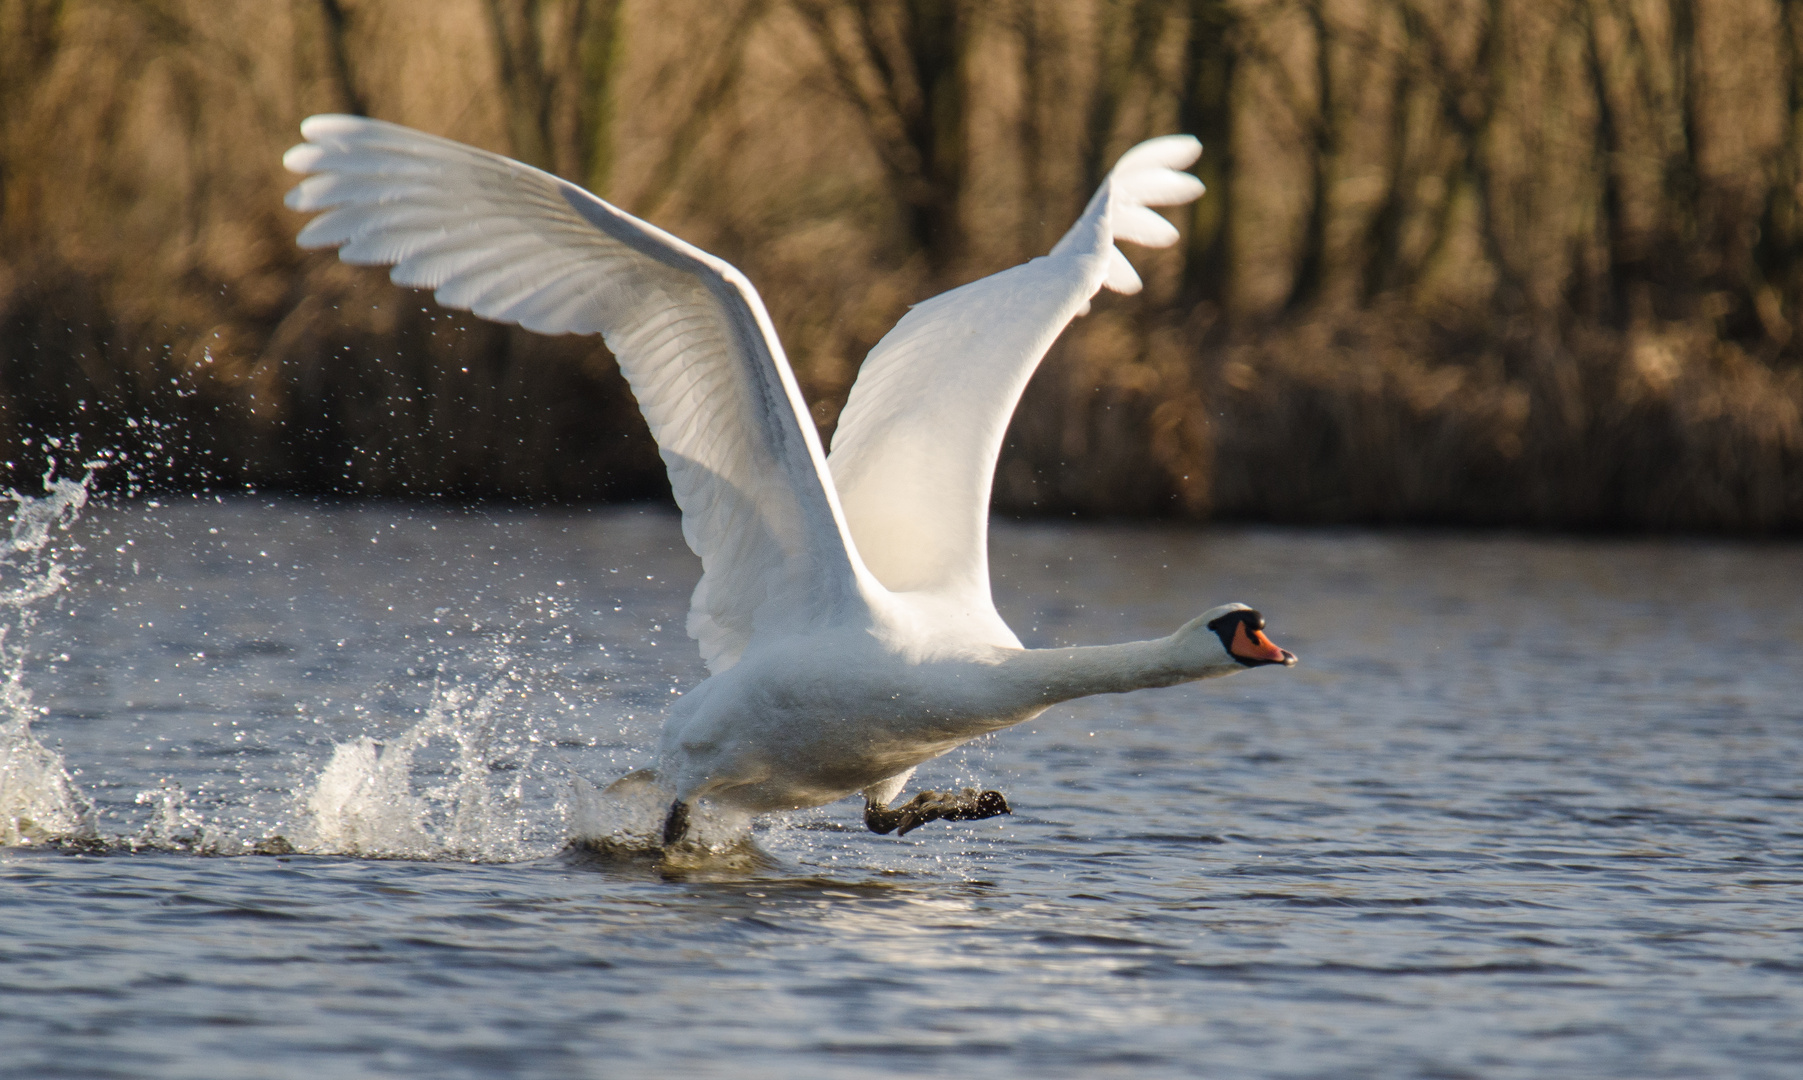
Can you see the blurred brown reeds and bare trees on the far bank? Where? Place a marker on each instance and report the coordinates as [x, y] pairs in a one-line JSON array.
[[1461, 261]]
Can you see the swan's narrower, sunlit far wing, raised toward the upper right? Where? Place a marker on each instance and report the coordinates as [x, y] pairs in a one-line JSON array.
[[915, 452]]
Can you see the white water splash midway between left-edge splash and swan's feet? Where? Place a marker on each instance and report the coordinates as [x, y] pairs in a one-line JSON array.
[[381, 801]]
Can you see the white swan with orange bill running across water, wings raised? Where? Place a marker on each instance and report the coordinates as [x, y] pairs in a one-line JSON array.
[[845, 607]]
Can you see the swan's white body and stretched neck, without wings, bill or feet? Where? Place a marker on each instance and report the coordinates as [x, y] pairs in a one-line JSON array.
[[814, 718]]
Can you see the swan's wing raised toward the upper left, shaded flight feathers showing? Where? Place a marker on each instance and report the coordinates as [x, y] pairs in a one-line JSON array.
[[520, 246]]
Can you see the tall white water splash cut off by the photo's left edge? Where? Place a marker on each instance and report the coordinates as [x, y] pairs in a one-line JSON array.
[[39, 800]]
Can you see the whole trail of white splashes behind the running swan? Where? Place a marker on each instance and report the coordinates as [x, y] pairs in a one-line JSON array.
[[482, 773]]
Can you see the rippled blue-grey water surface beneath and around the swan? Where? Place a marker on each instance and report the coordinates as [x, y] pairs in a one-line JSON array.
[[1528, 809]]
